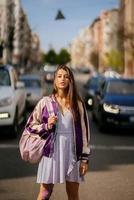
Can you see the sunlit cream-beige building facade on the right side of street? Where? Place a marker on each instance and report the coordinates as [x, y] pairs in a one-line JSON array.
[[109, 36]]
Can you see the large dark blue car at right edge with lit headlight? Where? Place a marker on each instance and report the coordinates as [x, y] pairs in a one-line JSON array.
[[114, 103]]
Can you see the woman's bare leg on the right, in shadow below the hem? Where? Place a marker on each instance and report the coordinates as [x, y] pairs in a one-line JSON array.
[[72, 189]]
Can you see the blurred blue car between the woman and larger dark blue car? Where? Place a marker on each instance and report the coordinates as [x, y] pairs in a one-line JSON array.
[[90, 88]]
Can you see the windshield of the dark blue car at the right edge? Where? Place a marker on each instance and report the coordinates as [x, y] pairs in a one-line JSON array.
[[121, 87]]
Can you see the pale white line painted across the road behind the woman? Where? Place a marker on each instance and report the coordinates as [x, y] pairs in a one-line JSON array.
[[94, 147]]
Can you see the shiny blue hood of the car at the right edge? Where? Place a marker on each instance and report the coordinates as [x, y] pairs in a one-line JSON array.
[[124, 100]]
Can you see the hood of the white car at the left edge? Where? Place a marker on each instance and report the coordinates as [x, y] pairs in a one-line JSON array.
[[5, 91]]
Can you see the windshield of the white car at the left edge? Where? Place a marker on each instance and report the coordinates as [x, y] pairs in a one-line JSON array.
[[4, 78]]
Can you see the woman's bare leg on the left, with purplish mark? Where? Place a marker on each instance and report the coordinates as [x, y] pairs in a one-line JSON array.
[[45, 191]]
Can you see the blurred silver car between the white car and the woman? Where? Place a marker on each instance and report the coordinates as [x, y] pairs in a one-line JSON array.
[[35, 88]]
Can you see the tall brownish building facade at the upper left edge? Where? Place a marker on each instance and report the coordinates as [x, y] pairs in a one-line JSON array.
[[15, 35]]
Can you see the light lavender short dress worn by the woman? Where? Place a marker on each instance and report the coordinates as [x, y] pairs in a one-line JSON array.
[[62, 166]]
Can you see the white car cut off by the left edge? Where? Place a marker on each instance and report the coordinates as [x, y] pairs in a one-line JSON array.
[[12, 99]]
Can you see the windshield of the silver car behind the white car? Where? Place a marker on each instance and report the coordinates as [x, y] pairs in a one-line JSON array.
[[31, 83]]
